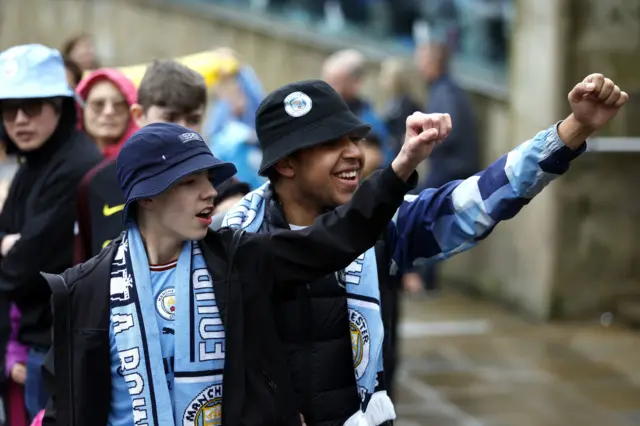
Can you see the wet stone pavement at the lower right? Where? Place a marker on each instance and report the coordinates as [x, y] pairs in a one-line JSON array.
[[469, 363]]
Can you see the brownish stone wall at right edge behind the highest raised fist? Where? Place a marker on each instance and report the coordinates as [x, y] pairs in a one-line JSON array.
[[598, 203]]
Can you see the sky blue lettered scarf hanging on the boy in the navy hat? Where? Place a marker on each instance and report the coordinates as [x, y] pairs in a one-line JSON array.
[[199, 356]]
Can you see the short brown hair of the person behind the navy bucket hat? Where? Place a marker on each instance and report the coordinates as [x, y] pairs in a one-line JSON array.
[[168, 83]]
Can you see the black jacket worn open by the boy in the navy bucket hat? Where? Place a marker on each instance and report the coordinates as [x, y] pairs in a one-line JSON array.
[[257, 387]]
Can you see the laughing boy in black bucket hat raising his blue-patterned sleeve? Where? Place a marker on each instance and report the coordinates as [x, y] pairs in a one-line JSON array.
[[333, 328]]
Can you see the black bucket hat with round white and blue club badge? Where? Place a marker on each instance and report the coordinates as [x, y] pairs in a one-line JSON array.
[[301, 115]]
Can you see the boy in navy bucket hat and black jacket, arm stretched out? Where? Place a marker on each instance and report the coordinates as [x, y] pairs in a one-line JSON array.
[[172, 322]]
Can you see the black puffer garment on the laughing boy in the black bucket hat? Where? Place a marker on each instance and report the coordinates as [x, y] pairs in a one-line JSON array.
[[313, 325]]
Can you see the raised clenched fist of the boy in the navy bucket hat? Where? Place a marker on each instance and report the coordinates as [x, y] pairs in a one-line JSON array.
[[423, 133]]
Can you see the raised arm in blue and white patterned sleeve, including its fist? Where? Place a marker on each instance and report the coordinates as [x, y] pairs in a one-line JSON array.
[[439, 223]]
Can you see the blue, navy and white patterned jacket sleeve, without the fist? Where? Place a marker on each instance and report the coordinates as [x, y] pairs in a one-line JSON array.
[[441, 222]]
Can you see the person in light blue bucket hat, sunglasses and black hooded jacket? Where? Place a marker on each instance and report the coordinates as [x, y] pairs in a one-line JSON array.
[[38, 123]]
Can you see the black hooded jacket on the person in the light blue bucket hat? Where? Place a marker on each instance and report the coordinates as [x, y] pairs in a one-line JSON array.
[[41, 207]]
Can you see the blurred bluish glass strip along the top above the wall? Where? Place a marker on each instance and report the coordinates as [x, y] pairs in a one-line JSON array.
[[475, 29]]
